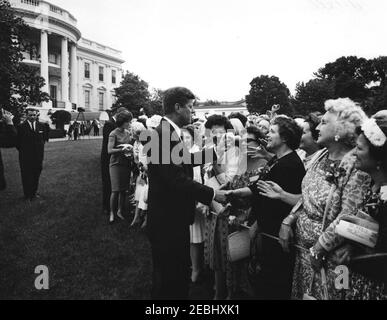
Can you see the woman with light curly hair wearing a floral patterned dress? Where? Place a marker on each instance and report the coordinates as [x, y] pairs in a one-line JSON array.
[[333, 183]]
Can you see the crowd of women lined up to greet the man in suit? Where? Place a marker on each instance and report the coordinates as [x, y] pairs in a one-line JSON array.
[[289, 185]]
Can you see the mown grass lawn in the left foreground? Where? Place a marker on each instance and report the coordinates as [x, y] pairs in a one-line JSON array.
[[66, 231]]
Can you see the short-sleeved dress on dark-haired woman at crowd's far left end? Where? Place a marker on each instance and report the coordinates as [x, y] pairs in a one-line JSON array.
[[119, 166]]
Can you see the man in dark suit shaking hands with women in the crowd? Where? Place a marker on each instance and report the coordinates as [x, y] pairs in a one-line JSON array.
[[172, 196]]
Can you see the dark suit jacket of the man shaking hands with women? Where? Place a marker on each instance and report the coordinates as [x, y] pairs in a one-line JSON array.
[[172, 192]]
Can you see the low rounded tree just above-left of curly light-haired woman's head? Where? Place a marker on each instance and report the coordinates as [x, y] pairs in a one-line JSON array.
[[311, 96]]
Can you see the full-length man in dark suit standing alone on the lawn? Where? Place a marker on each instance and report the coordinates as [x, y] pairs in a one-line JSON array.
[[31, 137]]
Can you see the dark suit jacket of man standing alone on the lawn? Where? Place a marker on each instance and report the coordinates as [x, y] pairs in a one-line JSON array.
[[31, 144]]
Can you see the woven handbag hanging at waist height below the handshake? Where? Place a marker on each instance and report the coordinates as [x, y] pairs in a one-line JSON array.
[[238, 245]]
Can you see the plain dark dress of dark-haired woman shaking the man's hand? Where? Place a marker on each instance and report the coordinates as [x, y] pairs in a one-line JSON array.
[[275, 278]]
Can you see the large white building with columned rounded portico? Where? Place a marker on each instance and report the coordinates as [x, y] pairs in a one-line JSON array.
[[78, 72]]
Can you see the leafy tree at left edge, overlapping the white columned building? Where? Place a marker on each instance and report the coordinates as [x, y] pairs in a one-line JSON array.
[[20, 84]]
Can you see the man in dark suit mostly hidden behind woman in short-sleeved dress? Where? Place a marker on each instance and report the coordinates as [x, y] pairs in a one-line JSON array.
[[108, 127]]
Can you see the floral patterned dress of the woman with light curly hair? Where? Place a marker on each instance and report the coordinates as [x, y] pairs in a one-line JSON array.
[[349, 188]]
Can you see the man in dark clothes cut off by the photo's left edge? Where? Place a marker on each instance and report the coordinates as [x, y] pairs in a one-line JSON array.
[[7, 140]]
